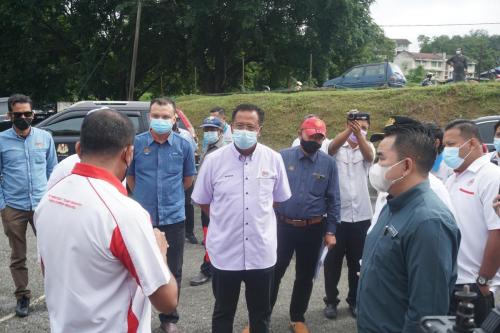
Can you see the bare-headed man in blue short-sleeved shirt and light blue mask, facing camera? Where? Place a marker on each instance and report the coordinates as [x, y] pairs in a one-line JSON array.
[[163, 167]]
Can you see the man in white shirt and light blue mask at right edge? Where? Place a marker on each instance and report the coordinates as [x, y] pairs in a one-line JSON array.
[[472, 188]]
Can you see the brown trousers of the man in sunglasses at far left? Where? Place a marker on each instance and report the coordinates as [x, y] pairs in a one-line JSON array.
[[15, 223]]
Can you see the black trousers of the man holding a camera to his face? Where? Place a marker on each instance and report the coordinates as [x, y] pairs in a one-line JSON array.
[[350, 242]]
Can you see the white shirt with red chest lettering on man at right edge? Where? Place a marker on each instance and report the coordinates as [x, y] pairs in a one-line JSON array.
[[472, 193]]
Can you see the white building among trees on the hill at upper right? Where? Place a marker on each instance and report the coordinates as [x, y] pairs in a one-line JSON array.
[[431, 62]]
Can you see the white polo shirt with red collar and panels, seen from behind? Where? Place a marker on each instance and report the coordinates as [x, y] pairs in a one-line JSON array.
[[100, 255]]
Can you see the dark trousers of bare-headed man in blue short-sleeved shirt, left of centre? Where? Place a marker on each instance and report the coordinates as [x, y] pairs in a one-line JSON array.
[[175, 235]]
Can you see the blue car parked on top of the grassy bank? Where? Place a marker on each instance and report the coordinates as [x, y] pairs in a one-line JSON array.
[[369, 75]]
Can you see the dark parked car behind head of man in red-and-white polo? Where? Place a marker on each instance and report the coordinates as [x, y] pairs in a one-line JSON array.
[[65, 126]]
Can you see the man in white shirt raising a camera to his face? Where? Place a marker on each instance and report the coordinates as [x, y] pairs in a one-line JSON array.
[[354, 155]]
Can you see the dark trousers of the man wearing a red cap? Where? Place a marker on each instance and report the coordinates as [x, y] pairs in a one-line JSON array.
[[306, 242]]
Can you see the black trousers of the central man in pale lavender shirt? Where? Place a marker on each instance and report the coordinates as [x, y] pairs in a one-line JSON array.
[[226, 288]]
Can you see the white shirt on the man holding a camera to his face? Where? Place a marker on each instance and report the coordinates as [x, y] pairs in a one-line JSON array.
[[353, 177]]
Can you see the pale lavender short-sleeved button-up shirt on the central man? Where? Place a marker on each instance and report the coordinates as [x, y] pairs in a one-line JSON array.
[[240, 191]]
